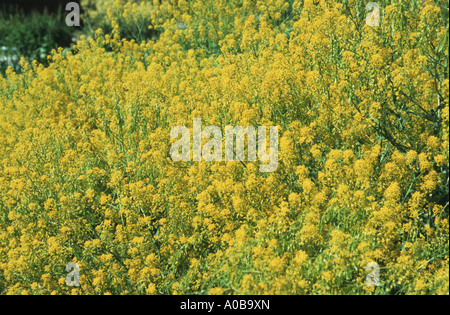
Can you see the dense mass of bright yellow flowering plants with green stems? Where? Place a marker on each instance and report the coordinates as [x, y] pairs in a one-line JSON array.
[[361, 106]]
